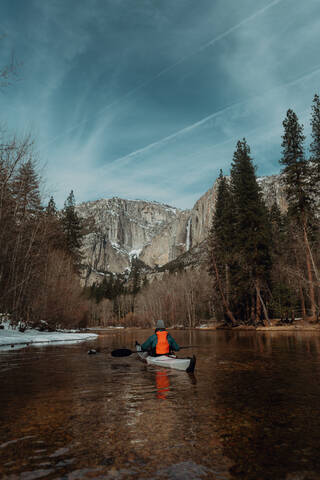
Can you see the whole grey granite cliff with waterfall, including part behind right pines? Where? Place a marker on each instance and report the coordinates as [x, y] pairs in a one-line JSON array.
[[154, 232]]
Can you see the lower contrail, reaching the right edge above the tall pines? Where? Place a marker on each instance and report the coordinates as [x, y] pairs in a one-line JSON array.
[[206, 119]]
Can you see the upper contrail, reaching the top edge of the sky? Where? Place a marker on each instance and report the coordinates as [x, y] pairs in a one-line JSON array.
[[169, 68]]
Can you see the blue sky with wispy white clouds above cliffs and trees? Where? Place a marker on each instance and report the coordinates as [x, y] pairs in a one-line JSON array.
[[146, 99]]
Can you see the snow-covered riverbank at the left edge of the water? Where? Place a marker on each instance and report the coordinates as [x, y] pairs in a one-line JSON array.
[[12, 338]]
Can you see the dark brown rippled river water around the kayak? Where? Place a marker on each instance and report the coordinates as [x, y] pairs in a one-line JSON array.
[[250, 411]]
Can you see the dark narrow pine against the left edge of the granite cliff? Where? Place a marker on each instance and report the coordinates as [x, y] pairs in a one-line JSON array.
[[72, 227]]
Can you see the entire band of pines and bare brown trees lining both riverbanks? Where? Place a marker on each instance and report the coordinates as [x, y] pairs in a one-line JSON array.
[[261, 263]]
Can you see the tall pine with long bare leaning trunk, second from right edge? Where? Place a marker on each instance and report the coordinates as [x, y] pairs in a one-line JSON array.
[[299, 189]]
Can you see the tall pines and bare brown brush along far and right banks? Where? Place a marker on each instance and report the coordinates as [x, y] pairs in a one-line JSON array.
[[261, 263]]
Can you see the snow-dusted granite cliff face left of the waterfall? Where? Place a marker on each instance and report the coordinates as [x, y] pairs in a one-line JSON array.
[[121, 229]]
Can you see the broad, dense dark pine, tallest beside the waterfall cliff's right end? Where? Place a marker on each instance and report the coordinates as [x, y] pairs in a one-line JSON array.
[[252, 237]]
